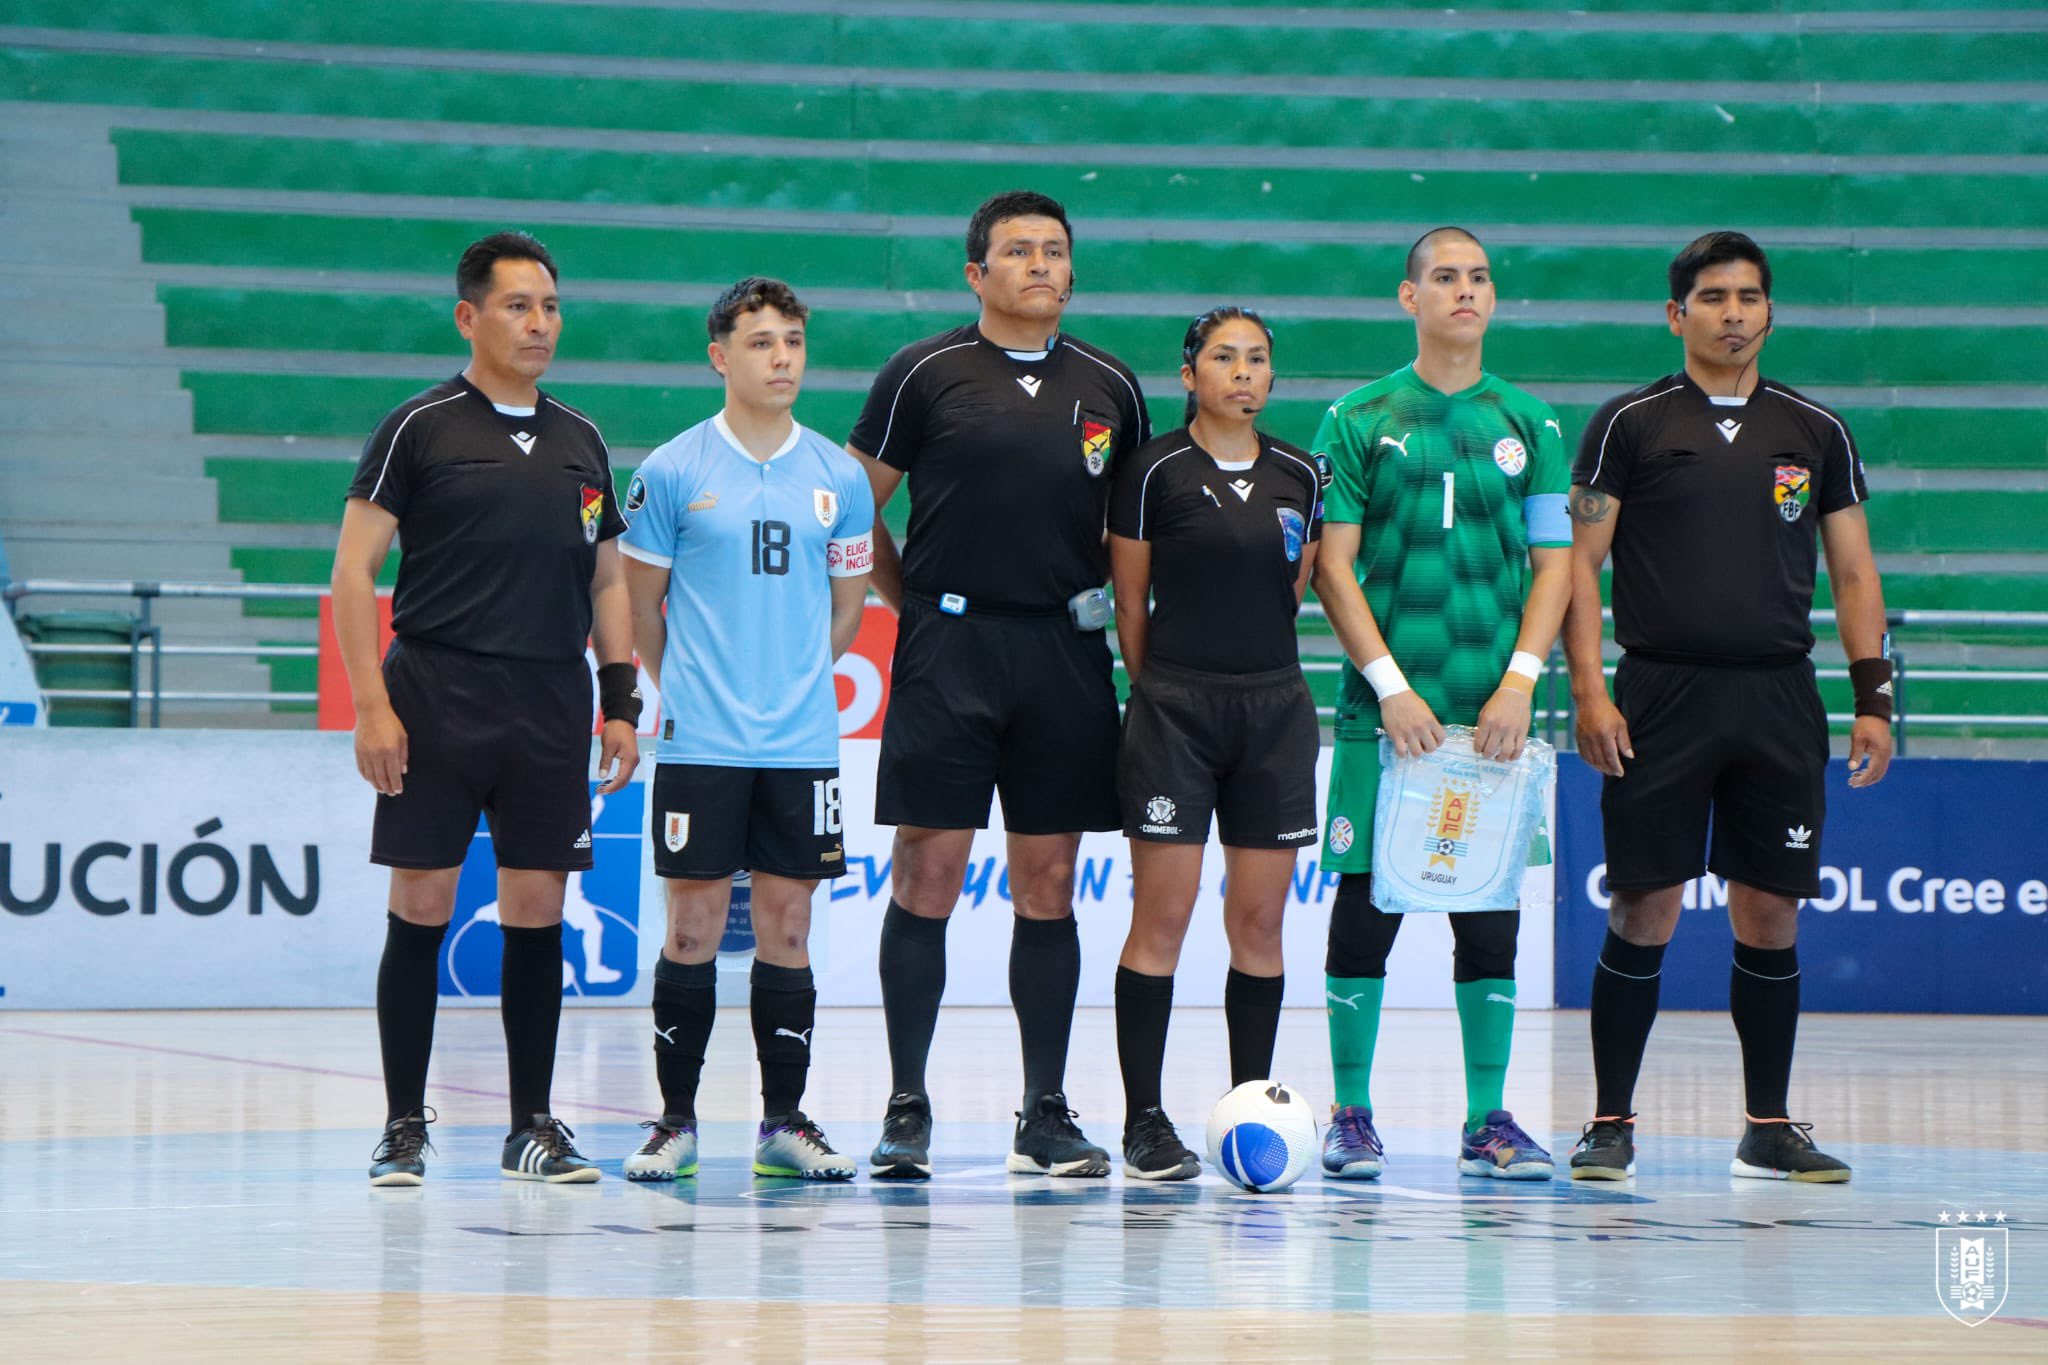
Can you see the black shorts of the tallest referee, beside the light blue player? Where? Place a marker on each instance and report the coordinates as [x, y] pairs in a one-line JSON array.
[[1015, 705]]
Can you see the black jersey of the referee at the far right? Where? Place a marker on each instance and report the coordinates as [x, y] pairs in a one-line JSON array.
[[1715, 545]]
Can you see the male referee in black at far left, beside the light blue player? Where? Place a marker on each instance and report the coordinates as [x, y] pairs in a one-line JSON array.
[[503, 498]]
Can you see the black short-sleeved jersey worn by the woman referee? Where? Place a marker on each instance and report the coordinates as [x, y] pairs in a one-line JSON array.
[[1226, 549]]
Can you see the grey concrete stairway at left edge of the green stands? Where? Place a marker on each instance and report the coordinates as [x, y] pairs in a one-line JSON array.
[[101, 476]]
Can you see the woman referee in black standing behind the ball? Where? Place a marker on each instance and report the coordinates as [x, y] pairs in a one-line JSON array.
[[1213, 535]]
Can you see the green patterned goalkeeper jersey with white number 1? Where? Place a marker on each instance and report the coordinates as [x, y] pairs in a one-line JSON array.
[[1449, 492]]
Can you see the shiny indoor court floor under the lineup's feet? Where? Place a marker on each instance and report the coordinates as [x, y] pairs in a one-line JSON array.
[[191, 1188]]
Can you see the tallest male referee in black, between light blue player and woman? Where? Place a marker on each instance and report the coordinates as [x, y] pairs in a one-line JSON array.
[[1009, 433]]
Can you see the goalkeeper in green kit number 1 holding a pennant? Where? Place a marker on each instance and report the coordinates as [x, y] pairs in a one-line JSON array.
[[1445, 572]]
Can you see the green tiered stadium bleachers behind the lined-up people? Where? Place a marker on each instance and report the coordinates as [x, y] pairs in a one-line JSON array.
[[302, 179]]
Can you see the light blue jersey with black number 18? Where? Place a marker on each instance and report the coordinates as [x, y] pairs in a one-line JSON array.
[[751, 552]]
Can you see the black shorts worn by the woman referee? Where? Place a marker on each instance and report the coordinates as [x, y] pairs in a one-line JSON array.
[[1236, 746]]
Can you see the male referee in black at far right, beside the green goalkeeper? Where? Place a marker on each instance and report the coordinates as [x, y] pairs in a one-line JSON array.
[[1711, 486]]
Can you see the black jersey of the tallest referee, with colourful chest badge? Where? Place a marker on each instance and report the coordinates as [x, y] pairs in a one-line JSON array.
[[1009, 459]]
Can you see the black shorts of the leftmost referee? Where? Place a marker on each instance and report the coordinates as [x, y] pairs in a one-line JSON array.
[[503, 738]]
